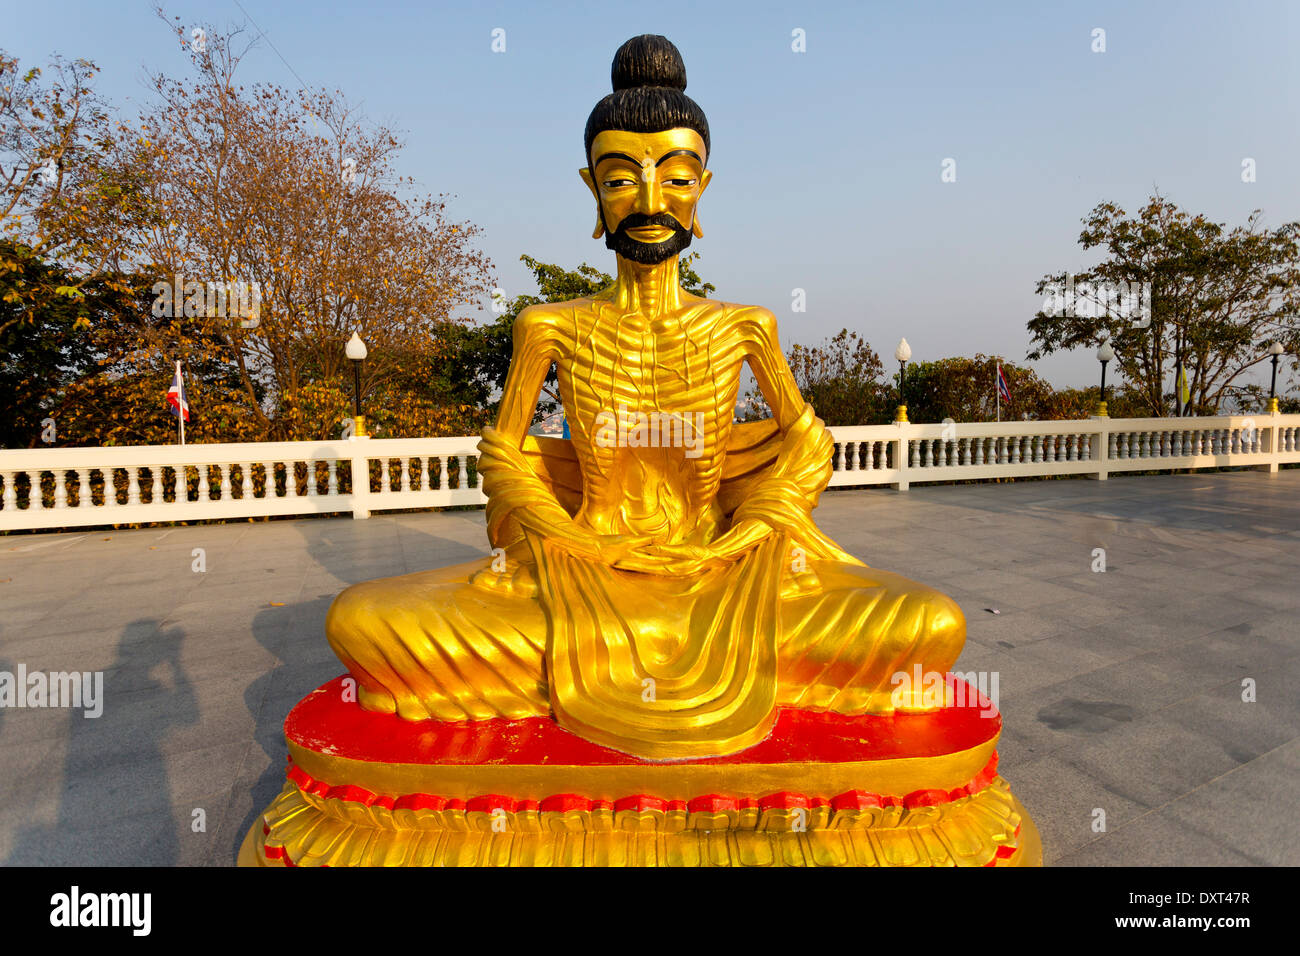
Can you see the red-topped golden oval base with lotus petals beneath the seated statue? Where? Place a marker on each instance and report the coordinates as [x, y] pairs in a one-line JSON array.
[[822, 790]]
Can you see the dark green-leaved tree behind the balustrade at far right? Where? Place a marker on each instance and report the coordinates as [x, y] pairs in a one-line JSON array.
[[1219, 300]]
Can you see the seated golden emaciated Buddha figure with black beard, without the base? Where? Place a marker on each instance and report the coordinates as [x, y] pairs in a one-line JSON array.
[[658, 585]]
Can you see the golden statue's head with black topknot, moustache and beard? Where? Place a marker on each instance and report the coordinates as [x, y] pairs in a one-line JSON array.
[[647, 150]]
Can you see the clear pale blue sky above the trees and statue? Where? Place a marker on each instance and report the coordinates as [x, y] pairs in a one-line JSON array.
[[826, 163]]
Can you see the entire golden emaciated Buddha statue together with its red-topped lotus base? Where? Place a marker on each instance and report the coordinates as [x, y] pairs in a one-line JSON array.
[[664, 663]]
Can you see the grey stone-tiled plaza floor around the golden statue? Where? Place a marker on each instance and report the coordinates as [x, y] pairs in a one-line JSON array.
[[1121, 691]]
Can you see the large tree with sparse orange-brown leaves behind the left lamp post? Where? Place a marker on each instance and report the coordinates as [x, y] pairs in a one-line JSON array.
[[291, 196]]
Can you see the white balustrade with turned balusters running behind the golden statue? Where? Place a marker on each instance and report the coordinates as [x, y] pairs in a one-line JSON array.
[[436, 473]]
